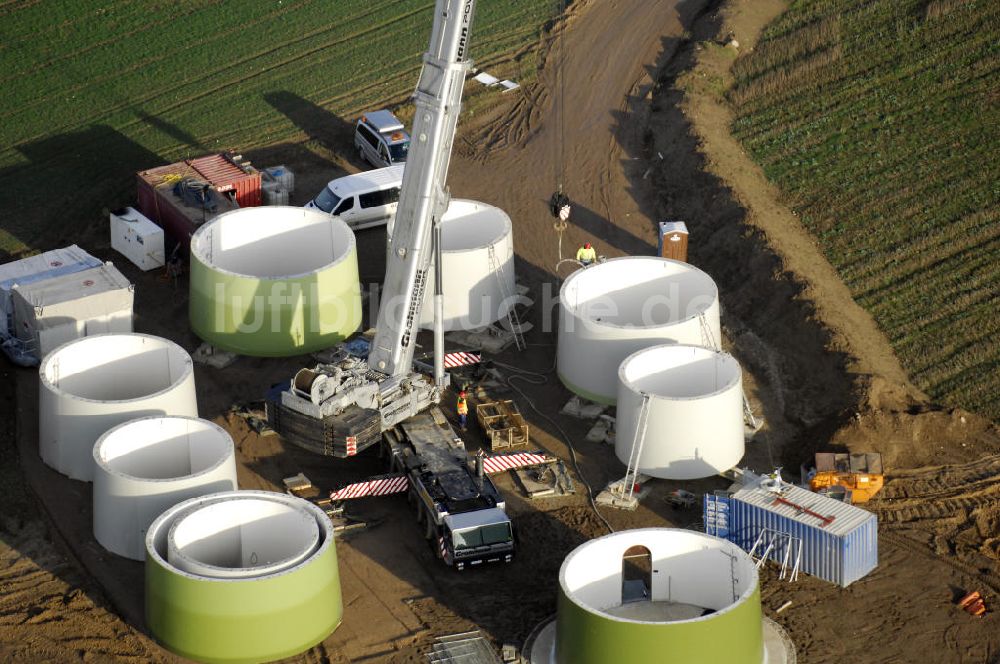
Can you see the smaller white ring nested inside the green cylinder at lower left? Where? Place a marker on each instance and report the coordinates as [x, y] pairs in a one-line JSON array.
[[242, 537]]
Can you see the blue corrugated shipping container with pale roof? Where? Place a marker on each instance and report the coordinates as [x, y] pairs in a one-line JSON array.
[[841, 552]]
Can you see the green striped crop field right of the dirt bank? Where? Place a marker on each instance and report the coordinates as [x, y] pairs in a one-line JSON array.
[[879, 121]]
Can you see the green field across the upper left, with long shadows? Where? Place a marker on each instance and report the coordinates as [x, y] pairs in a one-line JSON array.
[[95, 90]]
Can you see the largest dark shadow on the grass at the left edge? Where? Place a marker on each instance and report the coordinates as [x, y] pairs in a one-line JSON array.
[[57, 197]]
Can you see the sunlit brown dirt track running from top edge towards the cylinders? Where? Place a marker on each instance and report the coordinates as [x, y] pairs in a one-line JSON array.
[[574, 130]]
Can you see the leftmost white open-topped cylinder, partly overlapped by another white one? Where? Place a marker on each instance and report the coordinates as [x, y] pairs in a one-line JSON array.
[[91, 384]]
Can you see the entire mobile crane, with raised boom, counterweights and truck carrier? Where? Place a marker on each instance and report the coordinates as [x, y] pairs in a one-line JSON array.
[[342, 407]]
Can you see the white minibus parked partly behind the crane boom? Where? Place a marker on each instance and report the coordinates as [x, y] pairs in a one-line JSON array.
[[362, 200]]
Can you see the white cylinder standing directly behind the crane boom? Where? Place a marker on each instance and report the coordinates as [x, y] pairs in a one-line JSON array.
[[476, 293]]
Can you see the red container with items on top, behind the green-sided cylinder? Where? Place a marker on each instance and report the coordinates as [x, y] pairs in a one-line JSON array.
[[223, 171]]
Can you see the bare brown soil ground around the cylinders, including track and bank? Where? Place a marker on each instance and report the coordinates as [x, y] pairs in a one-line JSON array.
[[634, 138]]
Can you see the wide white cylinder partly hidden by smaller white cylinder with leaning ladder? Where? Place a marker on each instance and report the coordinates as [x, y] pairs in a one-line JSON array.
[[612, 309]]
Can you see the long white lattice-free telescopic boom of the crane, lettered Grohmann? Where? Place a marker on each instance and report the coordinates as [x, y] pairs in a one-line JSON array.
[[424, 196]]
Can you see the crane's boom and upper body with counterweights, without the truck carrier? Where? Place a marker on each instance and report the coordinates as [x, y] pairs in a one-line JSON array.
[[343, 406]]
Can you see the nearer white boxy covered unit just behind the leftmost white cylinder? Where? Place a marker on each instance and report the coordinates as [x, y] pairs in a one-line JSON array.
[[51, 312]]
